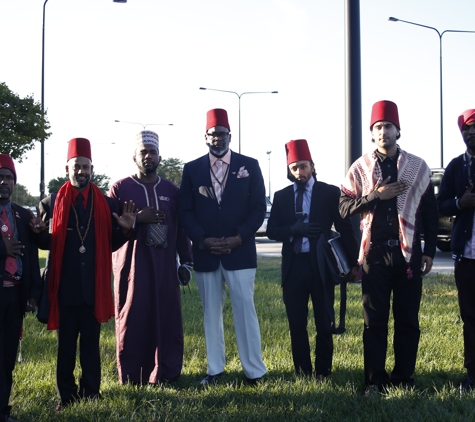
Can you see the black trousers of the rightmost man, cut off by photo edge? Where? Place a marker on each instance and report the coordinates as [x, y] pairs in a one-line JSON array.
[[465, 281]]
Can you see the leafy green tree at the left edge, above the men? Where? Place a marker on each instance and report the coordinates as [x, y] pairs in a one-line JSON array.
[[22, 122]]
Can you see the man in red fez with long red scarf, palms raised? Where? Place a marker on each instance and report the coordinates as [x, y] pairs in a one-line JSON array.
[[80, 227]]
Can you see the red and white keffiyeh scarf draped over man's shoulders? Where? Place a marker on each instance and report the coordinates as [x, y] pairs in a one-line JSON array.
[[365, 176]]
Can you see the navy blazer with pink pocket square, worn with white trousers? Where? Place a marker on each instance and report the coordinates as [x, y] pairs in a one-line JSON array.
[[242, 209]]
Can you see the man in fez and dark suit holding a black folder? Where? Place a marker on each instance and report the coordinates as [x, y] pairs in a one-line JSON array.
[[301, 214]]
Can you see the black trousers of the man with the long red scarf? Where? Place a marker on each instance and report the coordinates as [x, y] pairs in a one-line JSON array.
[[77, 321]]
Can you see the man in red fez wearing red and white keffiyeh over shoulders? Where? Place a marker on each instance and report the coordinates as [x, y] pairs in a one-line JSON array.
[[392, 191]]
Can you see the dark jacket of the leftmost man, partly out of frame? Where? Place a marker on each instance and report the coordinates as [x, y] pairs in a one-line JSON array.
[[30, 281]]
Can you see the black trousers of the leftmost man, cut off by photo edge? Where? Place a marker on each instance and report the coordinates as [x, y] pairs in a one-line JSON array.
[[11, 320]]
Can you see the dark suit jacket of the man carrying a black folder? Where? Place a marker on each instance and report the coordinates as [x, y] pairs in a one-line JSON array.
[[323, 211]]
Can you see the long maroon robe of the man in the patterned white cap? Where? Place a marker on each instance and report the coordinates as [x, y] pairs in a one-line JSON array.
[[148, 321]]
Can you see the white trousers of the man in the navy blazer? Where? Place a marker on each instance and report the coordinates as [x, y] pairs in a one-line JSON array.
[[211, 286]]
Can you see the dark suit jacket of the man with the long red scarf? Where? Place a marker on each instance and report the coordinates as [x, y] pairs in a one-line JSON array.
[[77, 271]]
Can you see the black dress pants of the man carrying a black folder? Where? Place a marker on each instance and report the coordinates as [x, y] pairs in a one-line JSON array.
[[301, 284]]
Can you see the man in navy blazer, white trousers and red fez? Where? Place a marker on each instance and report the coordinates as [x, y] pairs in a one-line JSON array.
[[222, 204]]
